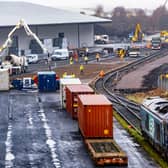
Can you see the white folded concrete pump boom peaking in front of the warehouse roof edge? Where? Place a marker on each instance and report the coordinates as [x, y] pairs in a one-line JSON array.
[[20, 24]]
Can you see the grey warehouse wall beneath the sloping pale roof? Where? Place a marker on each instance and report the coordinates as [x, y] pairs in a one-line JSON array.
[[78, 35]]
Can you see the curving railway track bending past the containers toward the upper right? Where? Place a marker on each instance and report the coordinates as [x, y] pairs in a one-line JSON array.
[[129, 110]]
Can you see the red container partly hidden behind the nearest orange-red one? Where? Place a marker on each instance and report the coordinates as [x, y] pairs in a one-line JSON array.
[[72, 91]]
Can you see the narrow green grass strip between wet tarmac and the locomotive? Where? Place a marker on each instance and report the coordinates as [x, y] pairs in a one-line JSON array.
[[142, 141]]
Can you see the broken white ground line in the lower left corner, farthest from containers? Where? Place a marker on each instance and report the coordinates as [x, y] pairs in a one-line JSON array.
[[9, 157]]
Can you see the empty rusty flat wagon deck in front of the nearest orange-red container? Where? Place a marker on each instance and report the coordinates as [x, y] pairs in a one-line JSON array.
[[106, 152]]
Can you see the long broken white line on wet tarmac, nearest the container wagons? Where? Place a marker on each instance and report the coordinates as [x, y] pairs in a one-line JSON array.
[[49, 141]]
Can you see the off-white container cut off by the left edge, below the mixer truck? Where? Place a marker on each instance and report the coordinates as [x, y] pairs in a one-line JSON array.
[[4, 80]]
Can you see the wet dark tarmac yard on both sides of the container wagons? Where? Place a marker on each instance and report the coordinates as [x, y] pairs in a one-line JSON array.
[[36, 133]]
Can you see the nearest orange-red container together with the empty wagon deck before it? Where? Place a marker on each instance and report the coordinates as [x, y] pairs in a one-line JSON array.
[[95, 122]]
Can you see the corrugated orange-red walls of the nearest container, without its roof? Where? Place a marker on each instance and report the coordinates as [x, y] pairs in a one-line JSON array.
[[95, 121]]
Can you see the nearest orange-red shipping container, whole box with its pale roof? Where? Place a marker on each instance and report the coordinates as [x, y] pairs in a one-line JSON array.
[[95, 115]]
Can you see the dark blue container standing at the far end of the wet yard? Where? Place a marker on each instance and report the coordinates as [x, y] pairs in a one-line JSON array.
[[47, 81]]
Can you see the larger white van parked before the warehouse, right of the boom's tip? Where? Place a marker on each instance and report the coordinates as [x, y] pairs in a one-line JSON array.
[[60, 54]]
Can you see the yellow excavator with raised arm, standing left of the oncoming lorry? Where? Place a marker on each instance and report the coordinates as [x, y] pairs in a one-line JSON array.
[[138, 35]]
